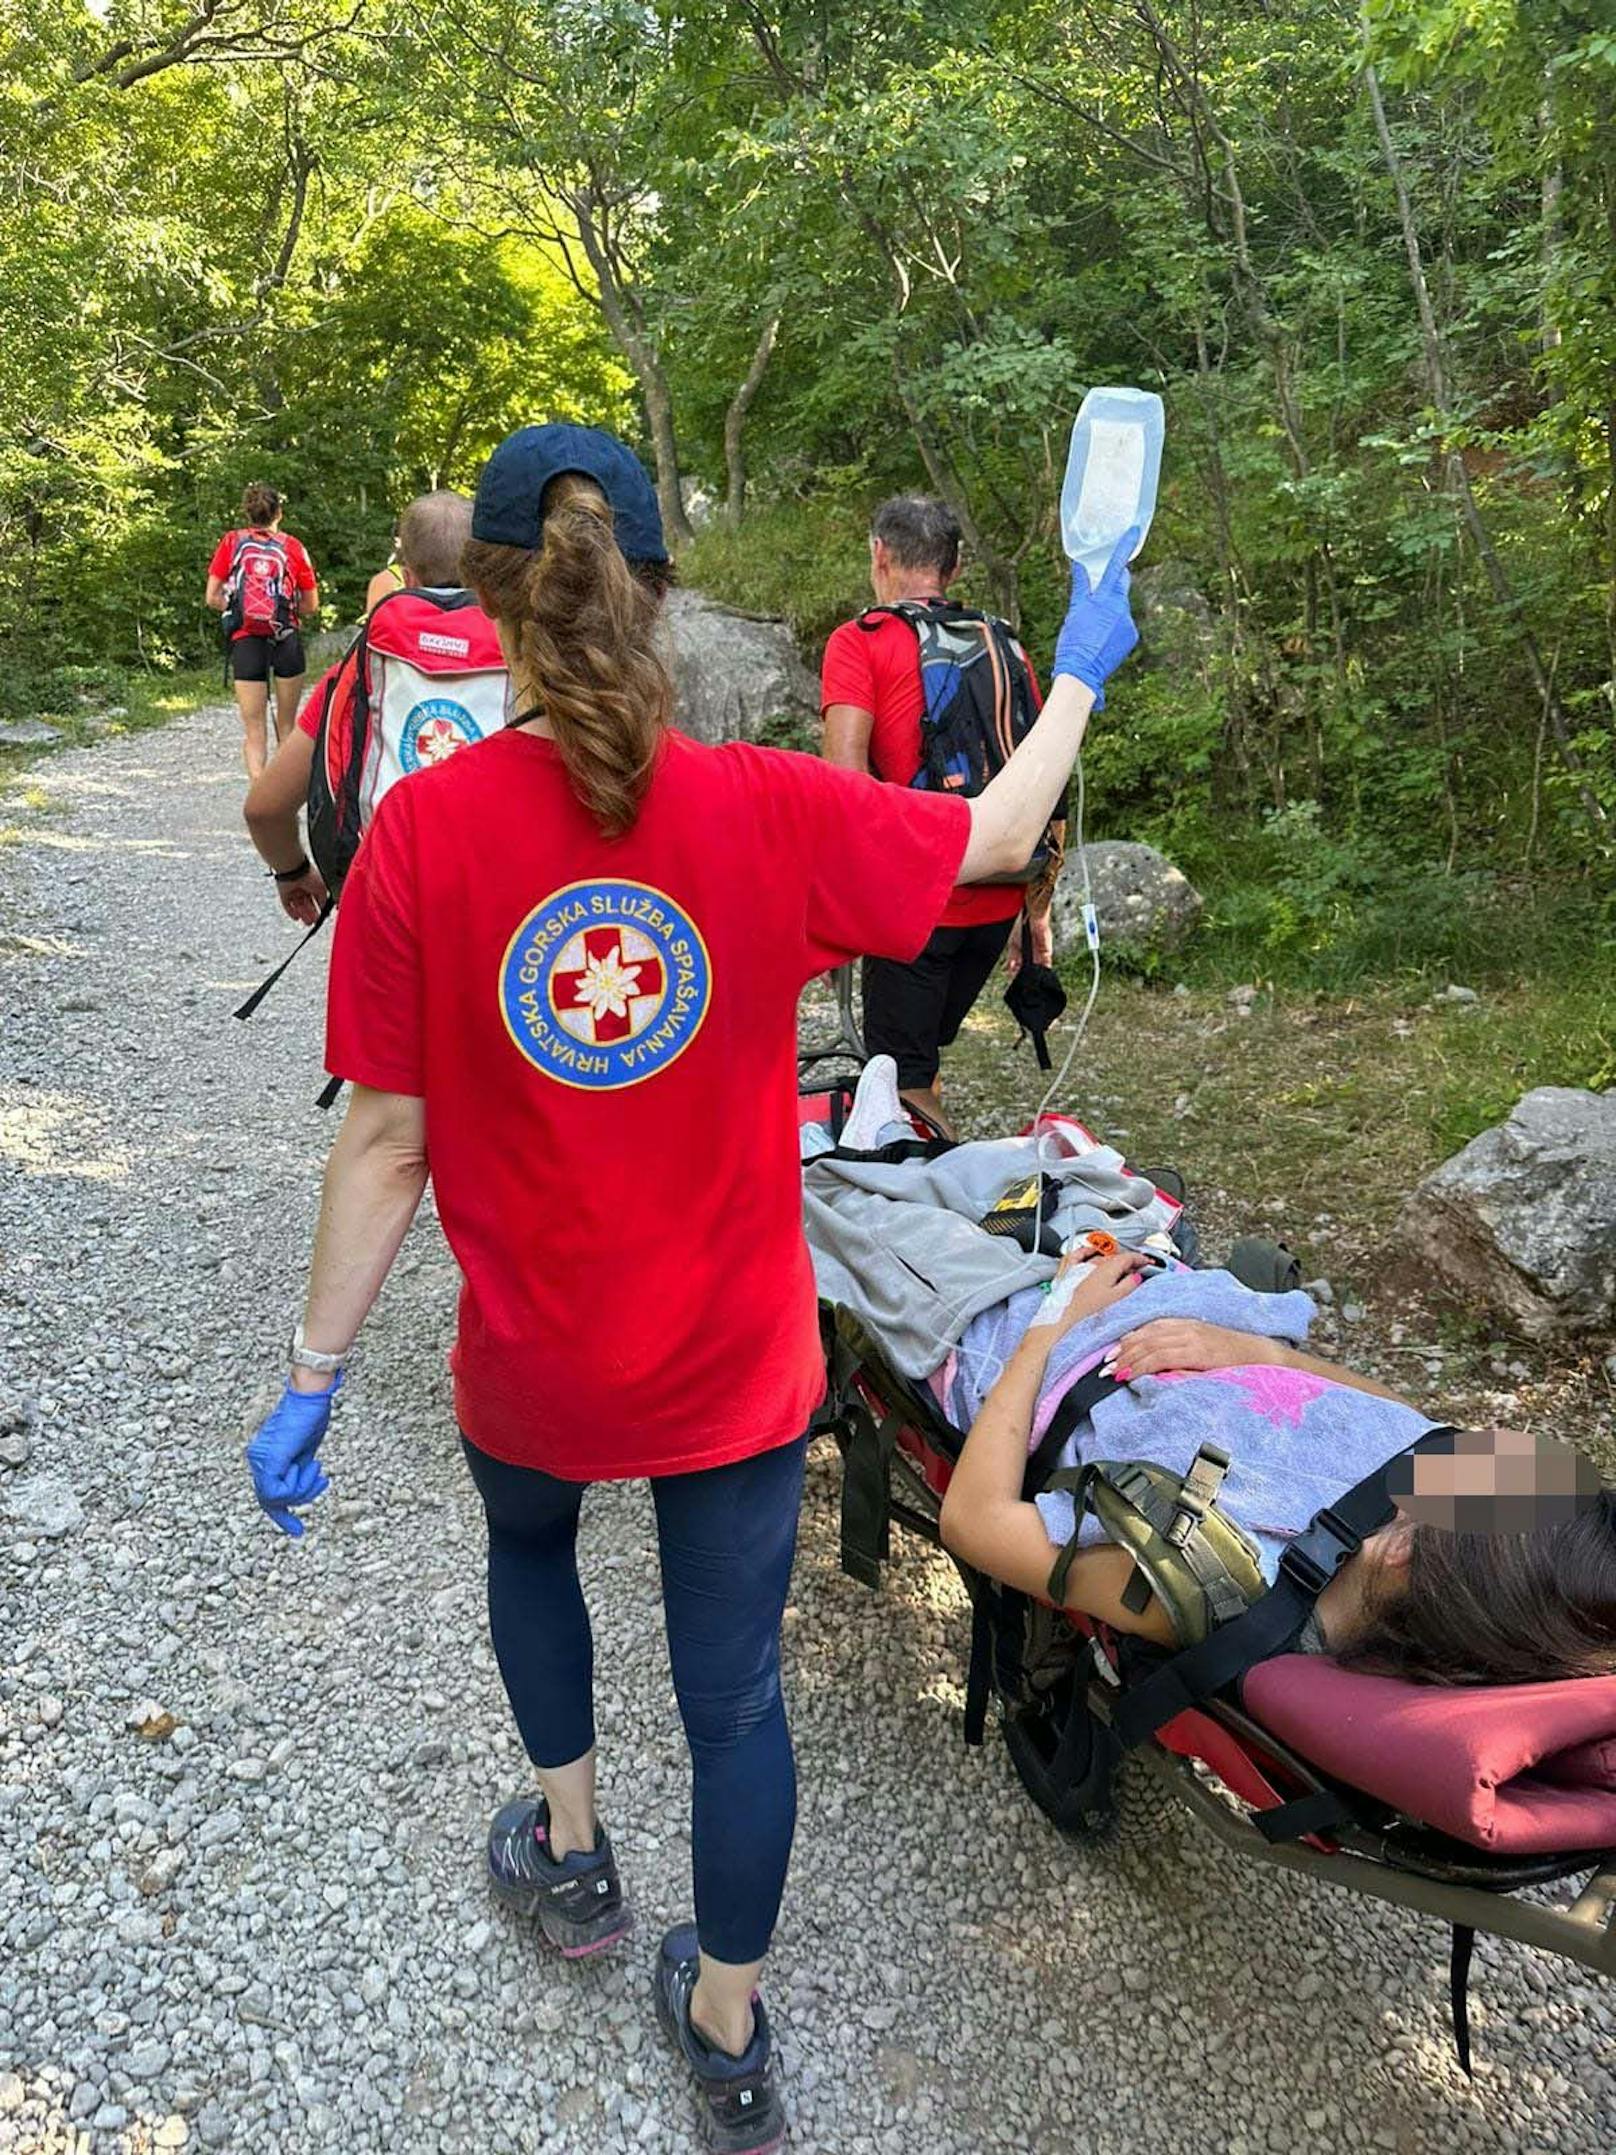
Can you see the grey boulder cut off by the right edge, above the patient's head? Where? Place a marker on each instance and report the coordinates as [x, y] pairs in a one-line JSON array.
[[1522, 1225]]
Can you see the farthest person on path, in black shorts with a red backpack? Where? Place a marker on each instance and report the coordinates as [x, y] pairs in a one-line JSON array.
[[264, 583]]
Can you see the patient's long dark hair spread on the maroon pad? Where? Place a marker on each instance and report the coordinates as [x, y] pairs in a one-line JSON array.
[[1496, 1609]]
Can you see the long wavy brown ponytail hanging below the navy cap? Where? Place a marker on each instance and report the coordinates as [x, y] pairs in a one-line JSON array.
[[583, 628]]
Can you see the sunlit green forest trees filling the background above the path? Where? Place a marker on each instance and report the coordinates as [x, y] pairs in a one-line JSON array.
[[807, 255]]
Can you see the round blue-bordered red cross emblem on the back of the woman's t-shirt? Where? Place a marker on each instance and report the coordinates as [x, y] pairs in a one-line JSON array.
[[604, 984]]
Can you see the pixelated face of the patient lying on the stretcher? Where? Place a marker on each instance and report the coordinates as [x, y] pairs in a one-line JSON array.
[[1494, 1482]]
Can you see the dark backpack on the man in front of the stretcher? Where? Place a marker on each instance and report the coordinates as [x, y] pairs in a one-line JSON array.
[[977, 710]]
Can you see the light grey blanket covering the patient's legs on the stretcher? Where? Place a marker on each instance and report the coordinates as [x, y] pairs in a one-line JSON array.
[[897, 1242]]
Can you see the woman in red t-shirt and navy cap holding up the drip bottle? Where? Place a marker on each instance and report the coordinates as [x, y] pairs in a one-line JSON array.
[[566, 984]]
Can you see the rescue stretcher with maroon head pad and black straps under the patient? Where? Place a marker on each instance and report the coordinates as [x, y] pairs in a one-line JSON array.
[[1492, 1809]]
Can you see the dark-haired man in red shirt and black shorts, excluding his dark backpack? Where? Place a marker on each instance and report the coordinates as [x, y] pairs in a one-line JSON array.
[[872, 699]]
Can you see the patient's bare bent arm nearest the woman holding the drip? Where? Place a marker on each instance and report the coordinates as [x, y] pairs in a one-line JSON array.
[[990, 1525]]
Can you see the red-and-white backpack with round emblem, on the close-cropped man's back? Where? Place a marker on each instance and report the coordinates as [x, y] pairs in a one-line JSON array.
[[423, 680]]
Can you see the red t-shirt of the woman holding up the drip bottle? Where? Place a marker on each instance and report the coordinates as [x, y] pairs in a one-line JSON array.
[[604, 1033]]
